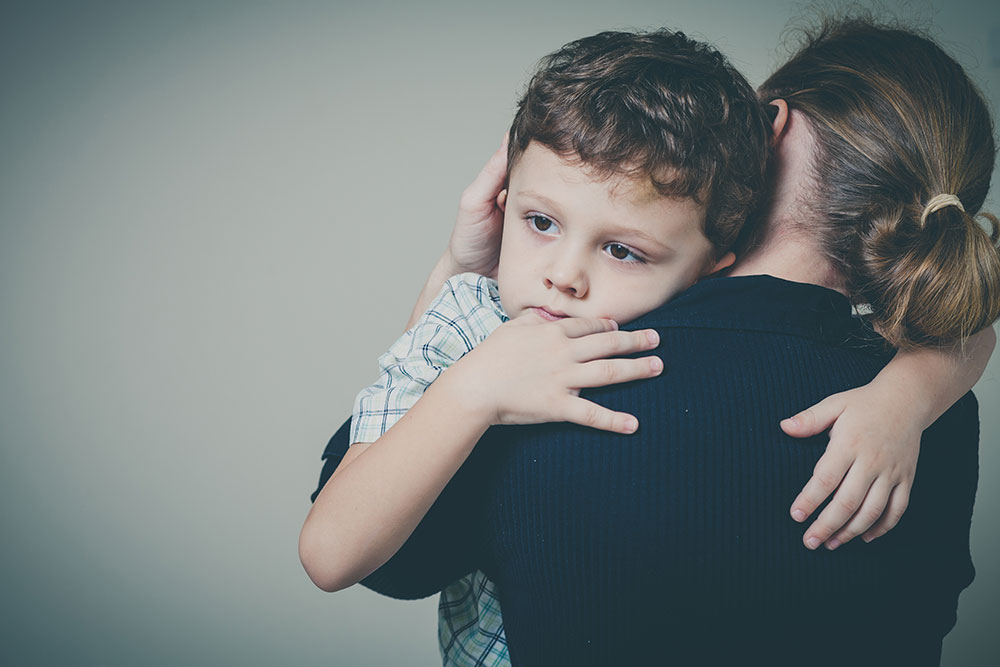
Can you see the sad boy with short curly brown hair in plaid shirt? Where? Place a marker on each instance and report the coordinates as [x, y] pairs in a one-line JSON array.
[[633, 163]]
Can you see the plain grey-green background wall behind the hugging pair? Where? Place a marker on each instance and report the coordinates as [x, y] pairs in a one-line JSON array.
[[213, 218]]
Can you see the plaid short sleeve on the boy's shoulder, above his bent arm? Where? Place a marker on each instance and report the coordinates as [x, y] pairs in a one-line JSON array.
[[463, 314]]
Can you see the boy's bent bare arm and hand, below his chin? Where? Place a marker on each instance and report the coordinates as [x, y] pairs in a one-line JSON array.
[[527, 371]]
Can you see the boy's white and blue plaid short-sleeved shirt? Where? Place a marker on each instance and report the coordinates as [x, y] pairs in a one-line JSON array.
[[470, 627]]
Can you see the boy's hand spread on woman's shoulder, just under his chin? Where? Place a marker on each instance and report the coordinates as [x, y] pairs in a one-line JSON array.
[[529, 371]]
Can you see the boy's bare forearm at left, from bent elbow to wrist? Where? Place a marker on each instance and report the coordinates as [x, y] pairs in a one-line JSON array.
[[369, 508]]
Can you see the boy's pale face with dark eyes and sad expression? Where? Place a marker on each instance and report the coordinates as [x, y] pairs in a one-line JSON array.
[[578, 247]]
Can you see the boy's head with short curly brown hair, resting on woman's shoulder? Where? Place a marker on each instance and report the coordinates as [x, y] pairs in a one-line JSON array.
[[662, 131]]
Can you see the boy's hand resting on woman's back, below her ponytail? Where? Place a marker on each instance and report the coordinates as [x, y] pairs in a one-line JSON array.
[[871, 457]]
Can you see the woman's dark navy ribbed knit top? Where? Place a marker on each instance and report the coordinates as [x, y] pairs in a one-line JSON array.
[[674, 545]]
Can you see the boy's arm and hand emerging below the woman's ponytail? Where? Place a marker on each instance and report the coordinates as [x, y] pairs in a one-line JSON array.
[[875, 439]]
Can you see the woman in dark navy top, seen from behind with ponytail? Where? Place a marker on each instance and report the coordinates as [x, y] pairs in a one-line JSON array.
[[611, 554]]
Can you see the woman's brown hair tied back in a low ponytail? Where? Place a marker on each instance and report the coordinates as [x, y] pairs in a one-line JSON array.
[[899, 127]]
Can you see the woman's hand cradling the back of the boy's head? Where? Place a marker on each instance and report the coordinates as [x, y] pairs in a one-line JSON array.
[[475, 240]]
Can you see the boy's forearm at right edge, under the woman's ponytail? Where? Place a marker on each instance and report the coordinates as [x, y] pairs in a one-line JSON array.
[[935, 378]]
